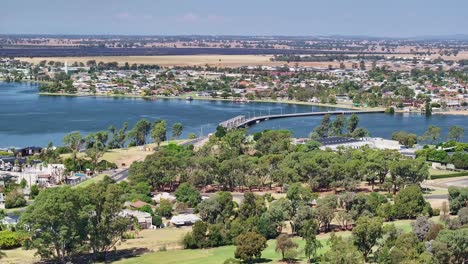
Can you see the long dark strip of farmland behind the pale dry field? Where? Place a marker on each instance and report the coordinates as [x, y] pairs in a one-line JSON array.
[[87, 51]]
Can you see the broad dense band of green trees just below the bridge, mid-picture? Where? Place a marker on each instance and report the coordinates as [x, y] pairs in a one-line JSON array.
[[237, 161]]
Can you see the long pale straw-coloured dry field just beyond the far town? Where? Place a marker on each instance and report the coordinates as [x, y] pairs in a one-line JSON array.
[[183, 60]]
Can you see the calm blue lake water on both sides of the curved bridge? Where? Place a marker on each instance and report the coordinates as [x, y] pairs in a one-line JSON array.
[[29, 119]]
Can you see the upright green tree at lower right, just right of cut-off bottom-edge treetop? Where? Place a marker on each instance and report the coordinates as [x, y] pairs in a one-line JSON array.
[[366, 233]]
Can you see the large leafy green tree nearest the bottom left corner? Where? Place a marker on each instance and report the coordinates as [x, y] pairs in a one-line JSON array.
[[56, 223]]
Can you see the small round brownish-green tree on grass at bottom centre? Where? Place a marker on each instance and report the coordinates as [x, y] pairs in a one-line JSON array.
[[249, 246]]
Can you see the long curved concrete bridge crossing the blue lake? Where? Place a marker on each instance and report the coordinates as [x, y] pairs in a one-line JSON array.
[[241, 121]]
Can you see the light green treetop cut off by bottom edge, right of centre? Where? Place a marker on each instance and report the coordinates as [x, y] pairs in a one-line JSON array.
[[342, 252]]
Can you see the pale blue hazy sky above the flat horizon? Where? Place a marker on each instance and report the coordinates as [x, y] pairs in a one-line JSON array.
[[382, 18]]
